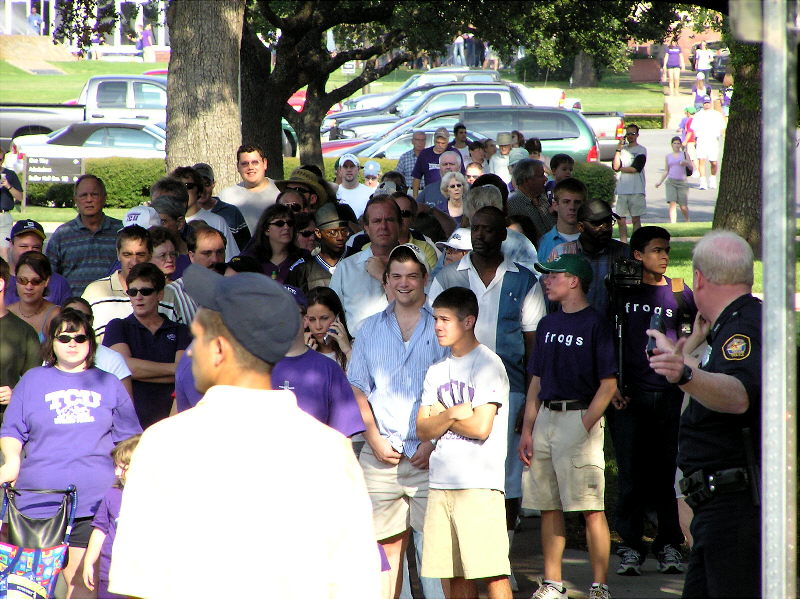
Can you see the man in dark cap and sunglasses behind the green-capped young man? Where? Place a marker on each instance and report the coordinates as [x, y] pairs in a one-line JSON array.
[[595, 243]]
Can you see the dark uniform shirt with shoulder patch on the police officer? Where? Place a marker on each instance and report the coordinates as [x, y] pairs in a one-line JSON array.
[[711, 440]]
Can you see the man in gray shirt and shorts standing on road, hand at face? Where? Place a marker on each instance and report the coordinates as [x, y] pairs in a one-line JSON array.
[[629, 161]]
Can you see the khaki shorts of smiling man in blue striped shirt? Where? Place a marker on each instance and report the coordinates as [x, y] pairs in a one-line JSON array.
[[399, 494]]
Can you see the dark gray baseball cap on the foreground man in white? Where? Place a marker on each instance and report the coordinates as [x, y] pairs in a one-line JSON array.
[[259, 312]]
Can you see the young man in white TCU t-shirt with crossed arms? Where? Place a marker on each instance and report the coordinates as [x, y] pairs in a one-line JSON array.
[[465, 407]]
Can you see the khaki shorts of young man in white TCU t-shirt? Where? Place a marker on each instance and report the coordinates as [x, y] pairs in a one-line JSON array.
[[465, 534]]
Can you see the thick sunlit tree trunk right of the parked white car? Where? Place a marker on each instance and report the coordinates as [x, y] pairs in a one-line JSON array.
[[203, 85]]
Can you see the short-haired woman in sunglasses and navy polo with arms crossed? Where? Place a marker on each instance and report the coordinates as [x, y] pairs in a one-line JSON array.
[[150, 342]]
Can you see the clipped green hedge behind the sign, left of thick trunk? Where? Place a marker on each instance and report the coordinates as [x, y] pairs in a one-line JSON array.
[[124, 179]]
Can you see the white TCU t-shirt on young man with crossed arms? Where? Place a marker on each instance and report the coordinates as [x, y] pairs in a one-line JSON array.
[[459, 462]]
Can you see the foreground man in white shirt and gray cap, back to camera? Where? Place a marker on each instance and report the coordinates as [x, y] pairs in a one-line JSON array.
[[242, 429]]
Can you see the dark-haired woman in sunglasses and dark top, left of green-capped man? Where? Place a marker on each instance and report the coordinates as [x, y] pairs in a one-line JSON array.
[[273, 243]]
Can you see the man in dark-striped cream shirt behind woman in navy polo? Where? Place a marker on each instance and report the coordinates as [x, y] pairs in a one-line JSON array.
[[108, 296]]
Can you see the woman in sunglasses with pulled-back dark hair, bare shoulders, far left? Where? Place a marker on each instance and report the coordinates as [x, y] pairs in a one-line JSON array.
[[33, 272]]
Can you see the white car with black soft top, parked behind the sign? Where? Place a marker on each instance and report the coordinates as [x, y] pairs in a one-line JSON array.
[[90, 140]]
